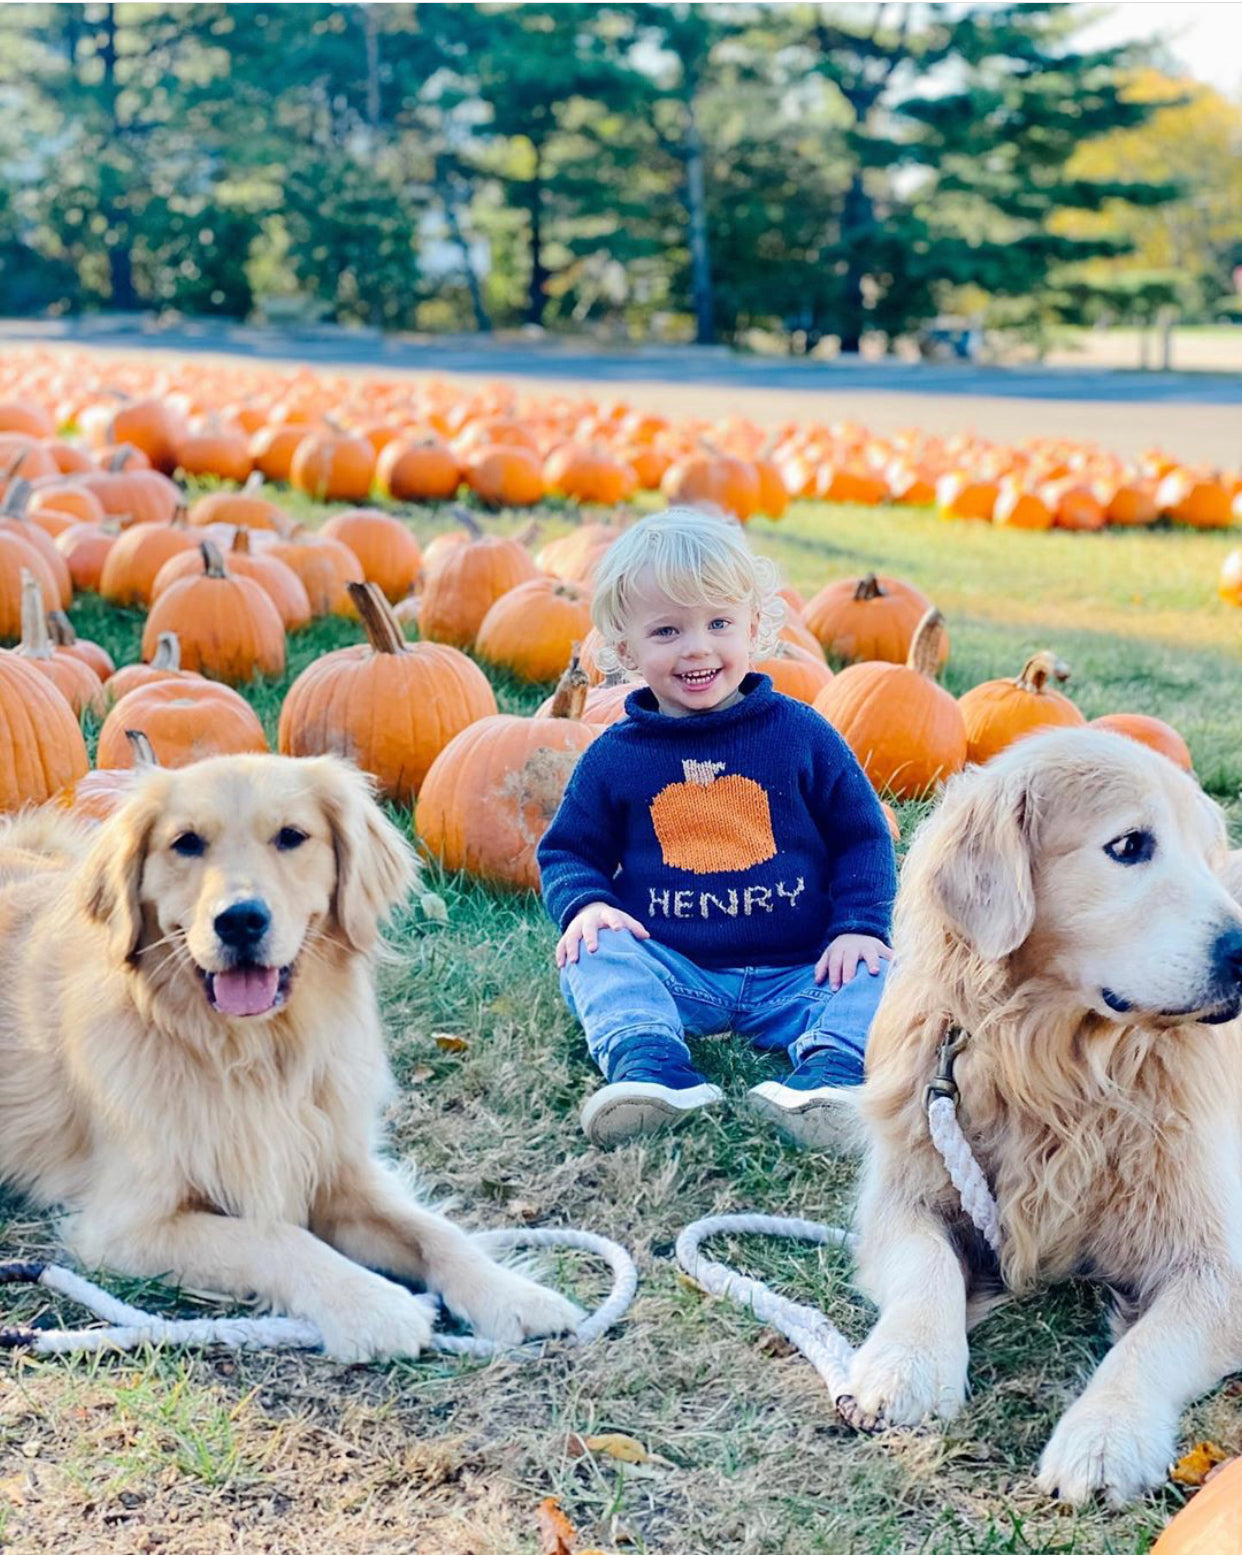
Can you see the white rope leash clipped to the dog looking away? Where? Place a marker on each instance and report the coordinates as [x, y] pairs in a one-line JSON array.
[[806, 1327]]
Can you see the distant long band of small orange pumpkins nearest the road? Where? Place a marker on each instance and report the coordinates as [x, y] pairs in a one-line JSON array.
[[340, 441]]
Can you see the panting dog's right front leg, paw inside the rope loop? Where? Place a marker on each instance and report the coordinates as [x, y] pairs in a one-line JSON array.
[[369, 1217]]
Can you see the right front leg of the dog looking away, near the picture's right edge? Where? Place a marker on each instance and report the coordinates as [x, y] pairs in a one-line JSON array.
[[1120, 1436]]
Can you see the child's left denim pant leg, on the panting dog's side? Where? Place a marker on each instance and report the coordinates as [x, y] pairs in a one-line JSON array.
[[637, 987]]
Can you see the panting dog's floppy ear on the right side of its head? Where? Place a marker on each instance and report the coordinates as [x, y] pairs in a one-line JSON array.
[[375, 865]]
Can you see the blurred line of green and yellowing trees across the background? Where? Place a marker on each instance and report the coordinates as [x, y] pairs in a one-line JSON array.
[[700, 172]]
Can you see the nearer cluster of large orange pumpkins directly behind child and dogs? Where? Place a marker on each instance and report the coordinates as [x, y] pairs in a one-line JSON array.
[[424, 718]]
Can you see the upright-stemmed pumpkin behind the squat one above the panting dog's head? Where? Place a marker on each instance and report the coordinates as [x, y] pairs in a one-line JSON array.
[[228, 626]]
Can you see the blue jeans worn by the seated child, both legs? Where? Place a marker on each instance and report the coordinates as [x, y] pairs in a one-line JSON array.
[[638, 987]]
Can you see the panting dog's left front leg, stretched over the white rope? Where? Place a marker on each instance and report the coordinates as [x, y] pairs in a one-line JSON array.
[[360, 1315]]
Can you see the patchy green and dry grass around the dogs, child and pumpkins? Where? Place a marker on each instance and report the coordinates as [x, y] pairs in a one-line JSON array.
[[293, 1453]]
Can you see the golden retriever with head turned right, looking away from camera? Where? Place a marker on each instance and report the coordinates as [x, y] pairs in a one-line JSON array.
[[1073, 909]]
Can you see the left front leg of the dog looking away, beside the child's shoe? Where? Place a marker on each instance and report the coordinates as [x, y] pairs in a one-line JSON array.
[[915, 1361]]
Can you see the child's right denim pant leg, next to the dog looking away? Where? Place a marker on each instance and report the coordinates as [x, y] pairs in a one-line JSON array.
[[786, 1008]]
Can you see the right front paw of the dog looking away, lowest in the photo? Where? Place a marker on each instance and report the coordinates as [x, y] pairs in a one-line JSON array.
[[1106, 1447]]
